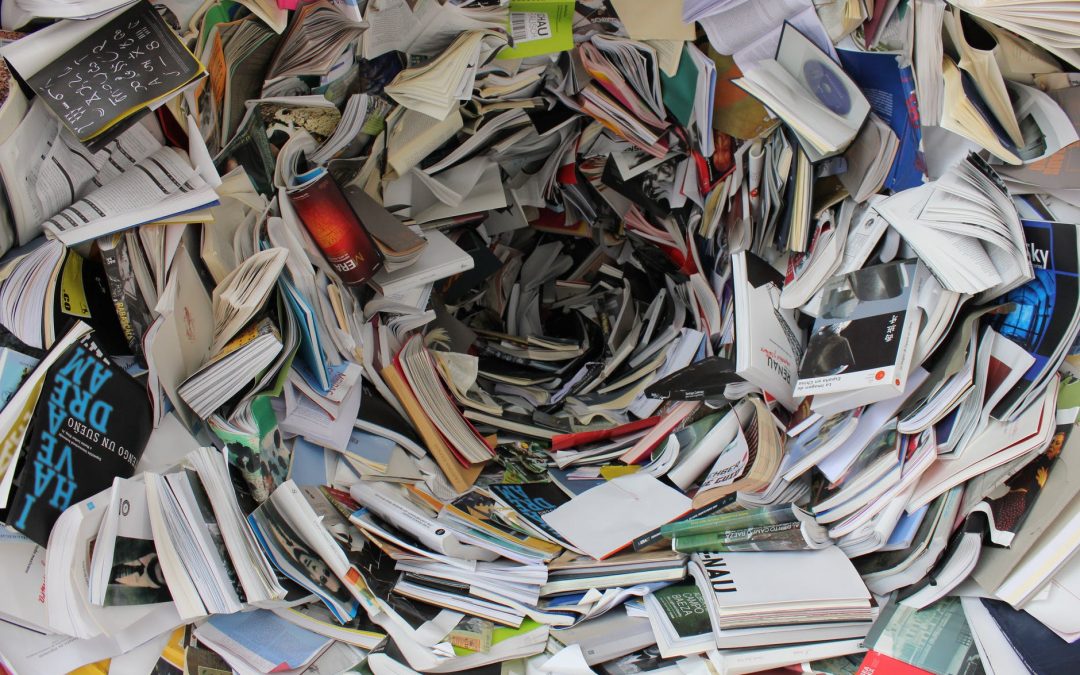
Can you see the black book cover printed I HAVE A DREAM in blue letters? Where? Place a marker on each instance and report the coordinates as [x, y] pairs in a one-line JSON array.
[[91, 424]]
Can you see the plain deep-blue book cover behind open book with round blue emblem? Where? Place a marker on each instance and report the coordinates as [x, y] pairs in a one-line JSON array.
[[890, 90]]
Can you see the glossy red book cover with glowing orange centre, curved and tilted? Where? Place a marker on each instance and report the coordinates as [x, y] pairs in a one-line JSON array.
[[336, 231]]
